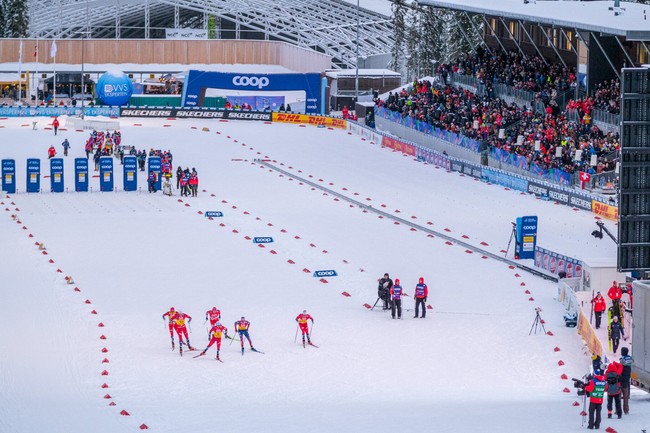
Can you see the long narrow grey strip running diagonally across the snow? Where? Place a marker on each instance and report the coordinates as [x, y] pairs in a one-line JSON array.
[[471, 247]]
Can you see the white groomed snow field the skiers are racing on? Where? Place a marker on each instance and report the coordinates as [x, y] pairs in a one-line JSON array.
[[470, 365]]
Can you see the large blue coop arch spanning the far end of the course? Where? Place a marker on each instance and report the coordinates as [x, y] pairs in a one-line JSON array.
[[197, 82]]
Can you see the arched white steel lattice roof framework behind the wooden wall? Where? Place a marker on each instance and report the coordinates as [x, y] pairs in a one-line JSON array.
[[327, 26]]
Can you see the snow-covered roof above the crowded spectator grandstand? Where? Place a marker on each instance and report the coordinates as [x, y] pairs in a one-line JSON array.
[[594, 16]]
